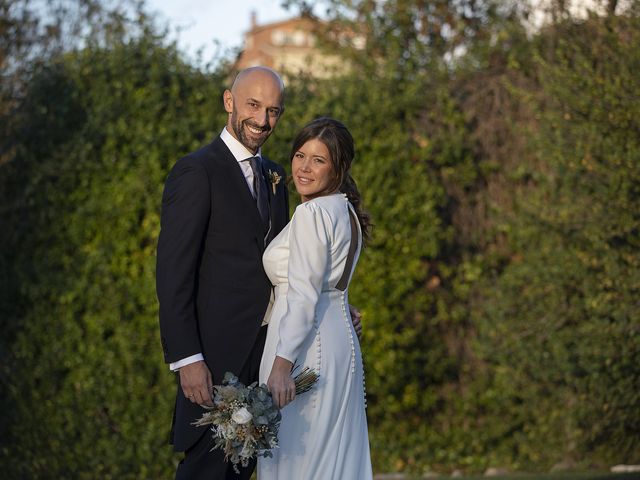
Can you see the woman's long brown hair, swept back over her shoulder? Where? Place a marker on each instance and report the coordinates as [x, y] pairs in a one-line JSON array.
[[339, 142]]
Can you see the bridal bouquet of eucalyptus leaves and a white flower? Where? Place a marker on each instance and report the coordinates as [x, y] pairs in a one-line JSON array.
[[244, 419]]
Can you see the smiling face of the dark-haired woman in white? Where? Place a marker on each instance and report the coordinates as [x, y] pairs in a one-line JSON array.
[[312, 170]]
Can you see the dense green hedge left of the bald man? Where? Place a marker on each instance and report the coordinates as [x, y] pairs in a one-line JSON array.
[[94, 139]]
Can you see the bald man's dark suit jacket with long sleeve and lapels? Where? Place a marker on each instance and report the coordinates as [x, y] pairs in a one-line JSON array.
[[211, 285]]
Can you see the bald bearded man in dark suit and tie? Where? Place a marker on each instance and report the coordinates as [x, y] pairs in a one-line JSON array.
[[221, 206]]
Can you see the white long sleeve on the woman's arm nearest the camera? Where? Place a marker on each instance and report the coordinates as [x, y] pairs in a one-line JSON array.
[[310, 244]]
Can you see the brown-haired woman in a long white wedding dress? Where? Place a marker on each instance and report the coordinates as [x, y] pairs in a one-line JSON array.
[[323, 434]]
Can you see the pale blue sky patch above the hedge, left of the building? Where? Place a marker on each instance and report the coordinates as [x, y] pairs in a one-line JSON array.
[[197, 23]]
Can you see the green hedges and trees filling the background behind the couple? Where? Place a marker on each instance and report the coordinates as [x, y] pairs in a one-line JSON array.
[[501, 166]]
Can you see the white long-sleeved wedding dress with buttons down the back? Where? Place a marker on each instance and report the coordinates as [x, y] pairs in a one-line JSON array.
[[323, 434]]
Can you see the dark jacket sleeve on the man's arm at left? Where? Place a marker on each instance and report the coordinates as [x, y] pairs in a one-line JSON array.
[[184, 219]]
